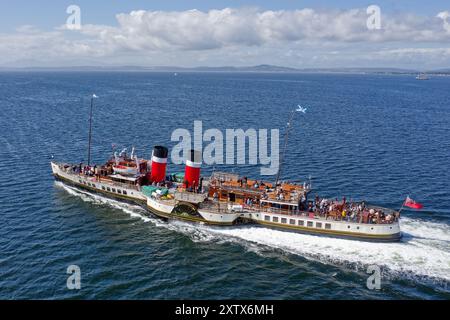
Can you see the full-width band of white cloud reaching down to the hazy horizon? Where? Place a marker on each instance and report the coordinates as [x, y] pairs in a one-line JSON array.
[[244, 35]]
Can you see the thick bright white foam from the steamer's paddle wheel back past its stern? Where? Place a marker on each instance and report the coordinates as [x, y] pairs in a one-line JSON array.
[[424, 252]]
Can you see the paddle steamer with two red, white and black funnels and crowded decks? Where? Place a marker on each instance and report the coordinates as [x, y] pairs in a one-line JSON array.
[[225, 199]]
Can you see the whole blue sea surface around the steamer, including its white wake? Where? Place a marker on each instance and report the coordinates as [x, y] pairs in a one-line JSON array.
[[373, 137]]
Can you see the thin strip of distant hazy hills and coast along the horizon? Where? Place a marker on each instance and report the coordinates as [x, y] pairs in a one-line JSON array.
[[250, 69]]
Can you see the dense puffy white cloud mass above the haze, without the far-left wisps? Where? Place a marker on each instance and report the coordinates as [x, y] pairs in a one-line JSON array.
[[197, 30]]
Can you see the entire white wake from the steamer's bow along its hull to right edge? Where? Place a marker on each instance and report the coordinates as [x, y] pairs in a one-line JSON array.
[[423, 252]]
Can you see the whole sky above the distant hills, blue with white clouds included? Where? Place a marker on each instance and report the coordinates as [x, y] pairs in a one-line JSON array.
[[411, 35]]
